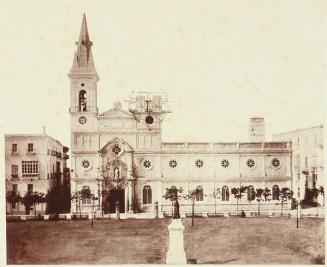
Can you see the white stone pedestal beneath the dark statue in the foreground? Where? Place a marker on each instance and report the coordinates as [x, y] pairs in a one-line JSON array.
[[176, 253]]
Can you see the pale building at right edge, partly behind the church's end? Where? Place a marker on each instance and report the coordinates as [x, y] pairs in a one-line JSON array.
[[308, 158]]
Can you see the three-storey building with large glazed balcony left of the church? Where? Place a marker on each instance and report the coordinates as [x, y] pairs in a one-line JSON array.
[[34, 162]]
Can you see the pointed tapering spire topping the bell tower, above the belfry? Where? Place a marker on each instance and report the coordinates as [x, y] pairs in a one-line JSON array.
[[83, 60]]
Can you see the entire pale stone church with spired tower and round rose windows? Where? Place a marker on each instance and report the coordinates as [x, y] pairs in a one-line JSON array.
[[119, 155]]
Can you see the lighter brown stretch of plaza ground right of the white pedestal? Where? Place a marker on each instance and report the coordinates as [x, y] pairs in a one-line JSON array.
[[254, 240]]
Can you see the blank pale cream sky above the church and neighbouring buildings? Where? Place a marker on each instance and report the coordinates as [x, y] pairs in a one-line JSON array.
[[220, 62]]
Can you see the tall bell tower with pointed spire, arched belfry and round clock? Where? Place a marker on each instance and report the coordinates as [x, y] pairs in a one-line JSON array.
[[83, 84]]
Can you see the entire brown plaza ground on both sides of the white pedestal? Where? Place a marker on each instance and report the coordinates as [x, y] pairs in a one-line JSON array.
[[211, 240]]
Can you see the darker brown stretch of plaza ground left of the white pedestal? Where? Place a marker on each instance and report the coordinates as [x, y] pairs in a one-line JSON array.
[[75, 242]]
